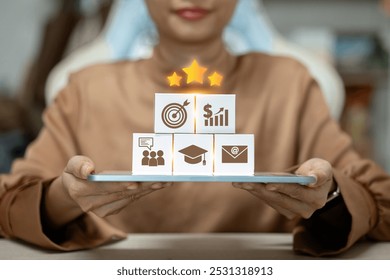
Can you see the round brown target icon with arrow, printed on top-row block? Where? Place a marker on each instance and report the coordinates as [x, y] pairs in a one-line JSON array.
[[174, 115]]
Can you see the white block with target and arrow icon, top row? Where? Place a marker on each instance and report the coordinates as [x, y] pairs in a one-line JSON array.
[[174, 113]]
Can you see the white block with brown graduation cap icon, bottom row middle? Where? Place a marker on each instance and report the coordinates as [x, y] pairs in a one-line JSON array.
[[193, 154]]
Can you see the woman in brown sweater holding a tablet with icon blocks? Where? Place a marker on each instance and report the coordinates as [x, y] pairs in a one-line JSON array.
[[48, 201]]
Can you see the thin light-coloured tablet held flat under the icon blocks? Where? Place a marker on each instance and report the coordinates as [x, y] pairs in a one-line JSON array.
[[126, 176]]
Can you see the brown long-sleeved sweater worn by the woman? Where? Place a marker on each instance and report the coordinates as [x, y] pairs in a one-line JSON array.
[[277, 100]]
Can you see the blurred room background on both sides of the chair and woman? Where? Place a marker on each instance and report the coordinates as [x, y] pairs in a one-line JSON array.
[[351, 35]]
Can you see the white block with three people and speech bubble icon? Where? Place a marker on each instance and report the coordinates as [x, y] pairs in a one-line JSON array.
[[152, 154]]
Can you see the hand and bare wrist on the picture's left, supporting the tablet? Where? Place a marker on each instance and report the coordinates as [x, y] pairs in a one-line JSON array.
[[71, 194]]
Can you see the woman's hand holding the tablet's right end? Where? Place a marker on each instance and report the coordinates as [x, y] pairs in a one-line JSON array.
[[292, 200]]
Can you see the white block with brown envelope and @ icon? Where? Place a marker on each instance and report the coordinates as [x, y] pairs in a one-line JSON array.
[[234, 154]]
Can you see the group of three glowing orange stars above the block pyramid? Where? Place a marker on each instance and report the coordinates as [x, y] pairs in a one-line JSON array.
[[195, 73]]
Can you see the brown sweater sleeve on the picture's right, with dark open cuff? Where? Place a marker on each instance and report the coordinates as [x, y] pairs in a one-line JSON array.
[[363, 210]]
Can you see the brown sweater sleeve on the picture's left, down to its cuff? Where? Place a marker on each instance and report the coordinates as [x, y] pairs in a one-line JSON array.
[[21, 191]]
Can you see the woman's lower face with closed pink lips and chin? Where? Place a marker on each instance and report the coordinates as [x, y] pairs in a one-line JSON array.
[[191, 20]]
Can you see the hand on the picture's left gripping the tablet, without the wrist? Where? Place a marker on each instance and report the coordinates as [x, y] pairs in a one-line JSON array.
[[103, 199]]
